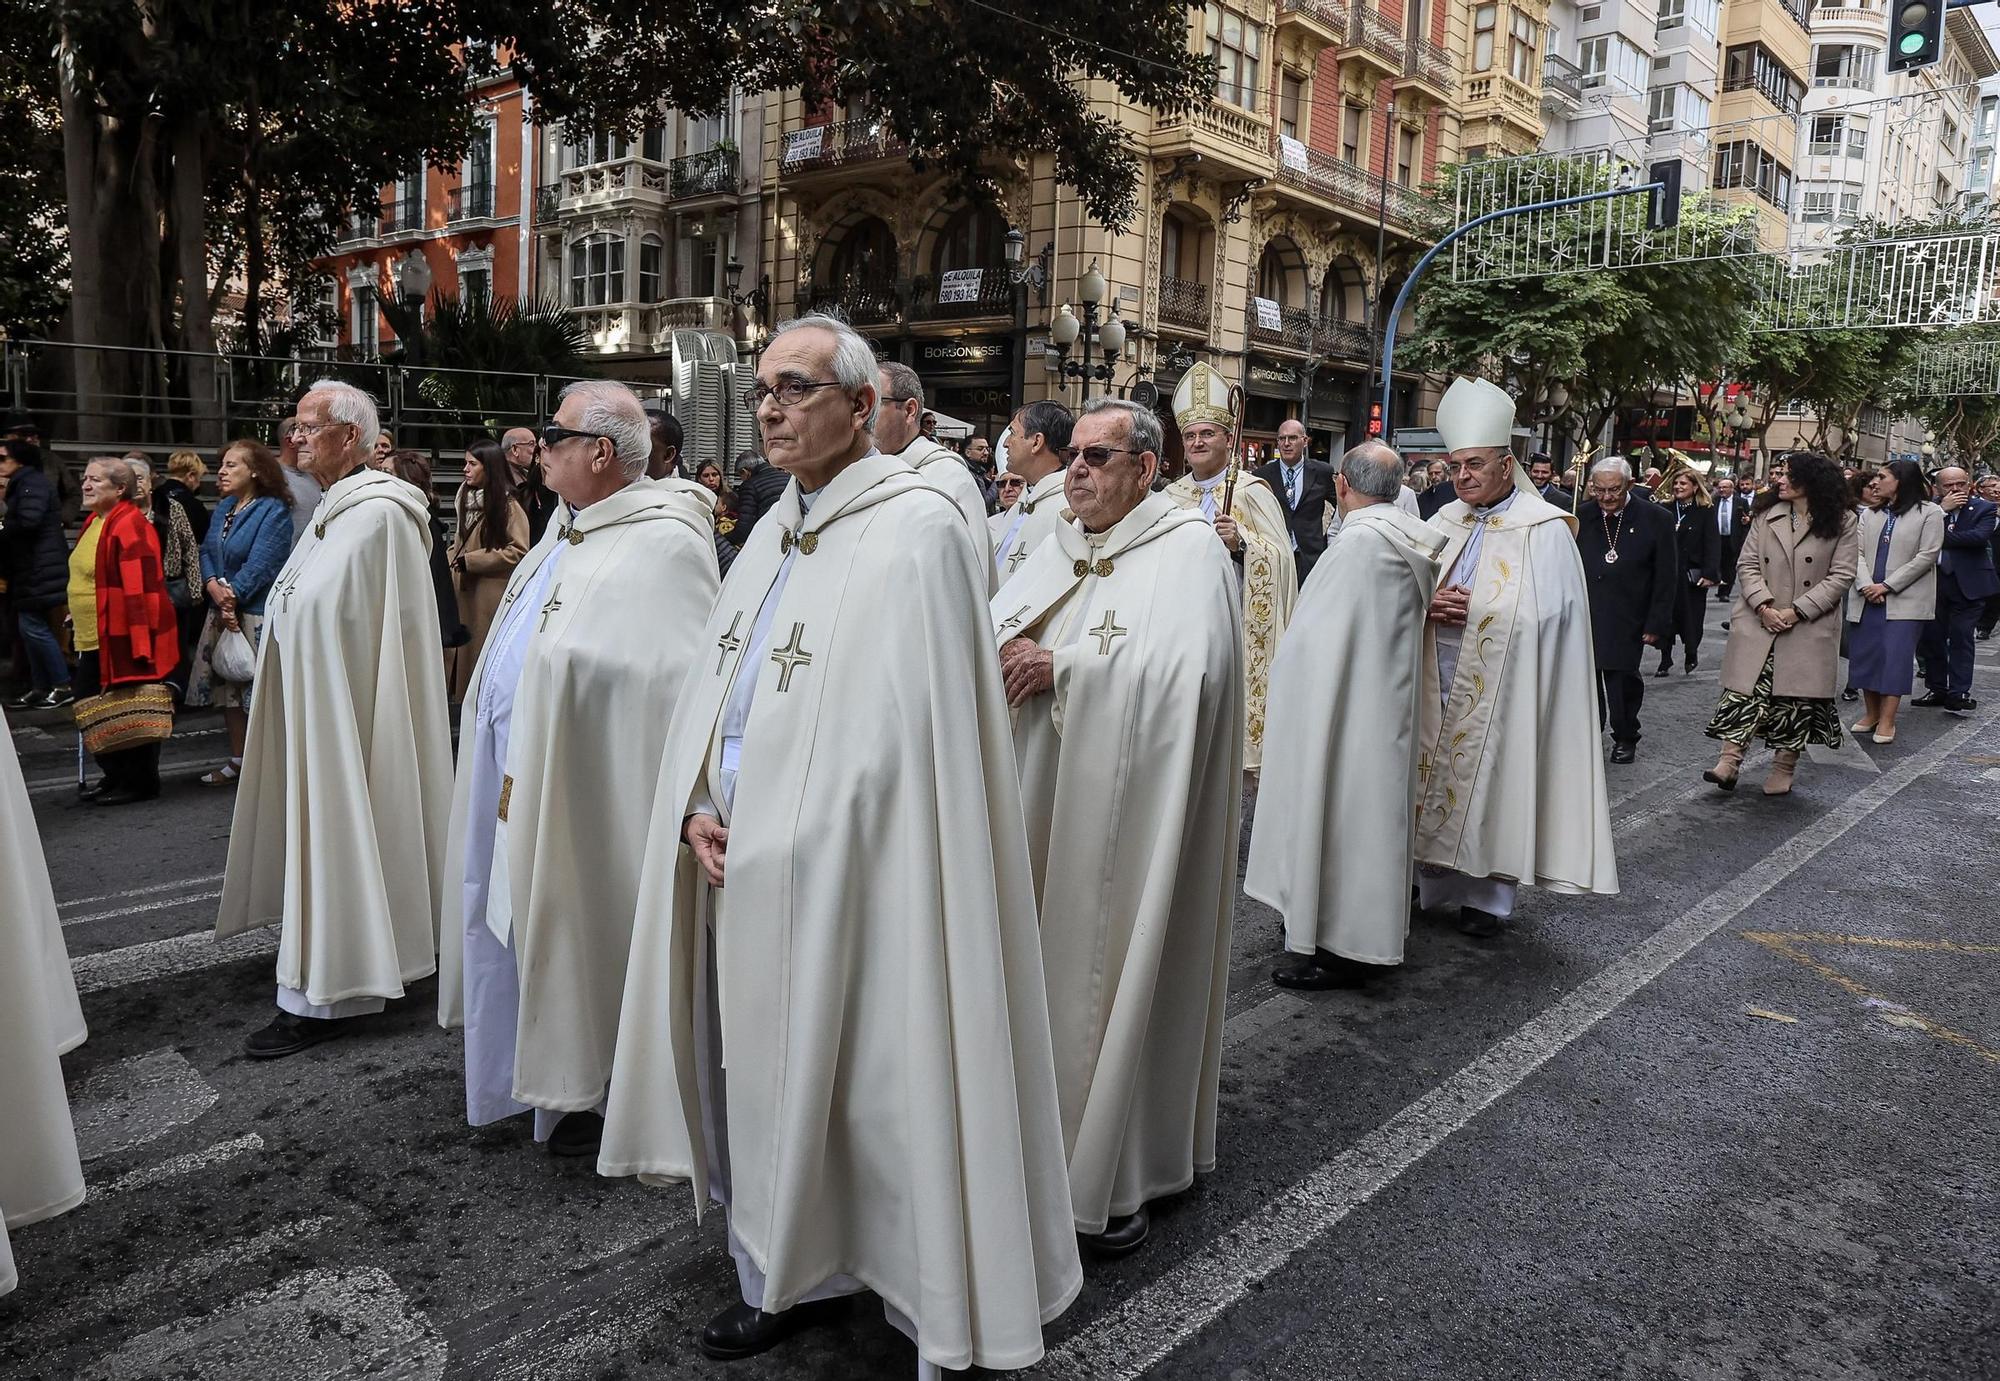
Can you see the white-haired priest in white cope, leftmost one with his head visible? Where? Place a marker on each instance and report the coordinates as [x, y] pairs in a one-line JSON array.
[[347, 784]]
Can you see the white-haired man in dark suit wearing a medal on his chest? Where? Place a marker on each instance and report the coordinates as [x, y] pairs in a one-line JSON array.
[[1633, 577]]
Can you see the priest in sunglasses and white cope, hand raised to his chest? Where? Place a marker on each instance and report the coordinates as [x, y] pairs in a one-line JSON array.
[[1121, 645]]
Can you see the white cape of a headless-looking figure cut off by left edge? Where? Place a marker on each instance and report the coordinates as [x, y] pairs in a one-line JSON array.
[[41, 1022]]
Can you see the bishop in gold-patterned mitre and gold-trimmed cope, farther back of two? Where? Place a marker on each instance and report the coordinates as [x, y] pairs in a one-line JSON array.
[[1253, 529]]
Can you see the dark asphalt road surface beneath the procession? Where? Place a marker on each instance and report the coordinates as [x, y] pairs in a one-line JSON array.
[[1733, 1126]]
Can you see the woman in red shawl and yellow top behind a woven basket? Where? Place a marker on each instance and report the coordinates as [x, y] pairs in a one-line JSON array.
[[127, 633]]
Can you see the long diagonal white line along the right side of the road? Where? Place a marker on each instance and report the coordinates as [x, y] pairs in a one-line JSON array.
[[1153, 1324]]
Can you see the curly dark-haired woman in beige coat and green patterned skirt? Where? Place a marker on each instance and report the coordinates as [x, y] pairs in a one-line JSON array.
[[1781, 667]]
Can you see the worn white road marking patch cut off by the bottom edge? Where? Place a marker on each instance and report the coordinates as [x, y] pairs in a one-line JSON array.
[[315, 1326]]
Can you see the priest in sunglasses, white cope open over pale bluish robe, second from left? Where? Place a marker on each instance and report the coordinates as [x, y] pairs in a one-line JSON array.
[[557, 770]]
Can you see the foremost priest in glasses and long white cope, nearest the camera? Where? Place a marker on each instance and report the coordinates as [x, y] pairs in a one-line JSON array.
[[839, 914]]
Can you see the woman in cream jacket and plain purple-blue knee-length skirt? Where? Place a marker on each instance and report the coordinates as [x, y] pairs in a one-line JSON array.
[[1895, 595]]
